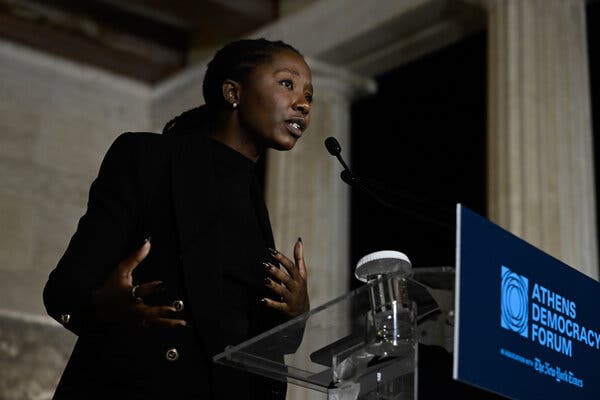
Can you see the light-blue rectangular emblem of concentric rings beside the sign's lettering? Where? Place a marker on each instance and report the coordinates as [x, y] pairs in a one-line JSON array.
[[514, 304]]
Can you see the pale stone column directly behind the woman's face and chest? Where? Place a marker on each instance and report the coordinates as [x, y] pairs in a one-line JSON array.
[[306, 197]]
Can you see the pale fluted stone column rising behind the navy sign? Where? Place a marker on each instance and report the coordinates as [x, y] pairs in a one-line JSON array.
[[541, 171]]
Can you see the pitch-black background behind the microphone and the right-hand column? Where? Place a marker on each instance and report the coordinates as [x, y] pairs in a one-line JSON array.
[[424, 133]]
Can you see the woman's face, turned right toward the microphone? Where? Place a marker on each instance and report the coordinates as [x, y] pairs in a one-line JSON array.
[[275, 101]]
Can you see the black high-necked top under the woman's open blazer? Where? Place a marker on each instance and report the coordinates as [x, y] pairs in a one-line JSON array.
[[242, 242]]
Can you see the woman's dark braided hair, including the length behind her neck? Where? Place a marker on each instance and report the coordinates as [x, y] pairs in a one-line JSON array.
[[234, 61]]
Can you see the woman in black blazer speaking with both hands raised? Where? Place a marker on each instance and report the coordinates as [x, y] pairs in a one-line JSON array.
[[150, 316]]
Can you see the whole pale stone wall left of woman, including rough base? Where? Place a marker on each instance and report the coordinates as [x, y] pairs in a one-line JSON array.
[[57, 119]]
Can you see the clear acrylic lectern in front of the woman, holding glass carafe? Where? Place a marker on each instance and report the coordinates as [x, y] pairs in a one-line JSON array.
[[362, 345]]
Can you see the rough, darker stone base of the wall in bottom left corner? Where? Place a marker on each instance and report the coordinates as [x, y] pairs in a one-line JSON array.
[[33, 353]]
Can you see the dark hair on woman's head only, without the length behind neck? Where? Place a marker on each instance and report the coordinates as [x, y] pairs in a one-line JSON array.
[[235, 61]]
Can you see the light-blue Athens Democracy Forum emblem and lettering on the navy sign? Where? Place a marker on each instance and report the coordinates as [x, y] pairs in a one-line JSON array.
[[542, 315]]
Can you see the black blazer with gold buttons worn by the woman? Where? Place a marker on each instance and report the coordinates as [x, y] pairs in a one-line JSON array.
[[159, 186]]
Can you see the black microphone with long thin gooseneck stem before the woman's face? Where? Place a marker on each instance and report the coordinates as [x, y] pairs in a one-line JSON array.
[[334, 148]]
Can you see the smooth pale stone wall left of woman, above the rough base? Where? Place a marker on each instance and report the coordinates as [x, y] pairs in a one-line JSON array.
[[57, 119]]
